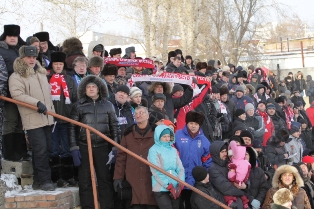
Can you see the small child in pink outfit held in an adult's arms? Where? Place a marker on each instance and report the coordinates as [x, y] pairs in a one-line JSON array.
[[241, 166]]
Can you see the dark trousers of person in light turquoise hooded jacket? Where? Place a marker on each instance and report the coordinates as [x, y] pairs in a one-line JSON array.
[[164, 200]]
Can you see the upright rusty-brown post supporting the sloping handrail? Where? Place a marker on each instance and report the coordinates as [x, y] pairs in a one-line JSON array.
[[92, 169]]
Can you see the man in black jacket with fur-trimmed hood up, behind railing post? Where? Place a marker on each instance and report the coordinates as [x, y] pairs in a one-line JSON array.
[[93, 109]]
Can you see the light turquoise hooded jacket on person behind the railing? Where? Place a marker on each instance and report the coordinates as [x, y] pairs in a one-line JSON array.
[[163, 155]]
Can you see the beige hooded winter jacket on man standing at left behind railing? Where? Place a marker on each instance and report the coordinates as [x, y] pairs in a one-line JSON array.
[[30, 85]]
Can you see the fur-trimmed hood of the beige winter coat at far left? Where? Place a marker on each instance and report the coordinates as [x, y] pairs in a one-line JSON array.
[[20, 67]]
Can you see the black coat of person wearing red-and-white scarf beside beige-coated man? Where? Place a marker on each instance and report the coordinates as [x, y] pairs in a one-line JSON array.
[[61, 107]]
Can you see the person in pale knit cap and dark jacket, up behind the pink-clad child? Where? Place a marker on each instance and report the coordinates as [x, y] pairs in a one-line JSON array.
[[254, 122]]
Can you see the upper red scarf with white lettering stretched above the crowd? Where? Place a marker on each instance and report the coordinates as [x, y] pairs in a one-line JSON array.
[[145, 63]]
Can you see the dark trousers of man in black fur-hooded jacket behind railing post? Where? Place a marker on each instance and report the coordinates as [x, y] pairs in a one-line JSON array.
[[104, 179]]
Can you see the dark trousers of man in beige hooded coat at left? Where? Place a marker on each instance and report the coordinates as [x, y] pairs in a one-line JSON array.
[[40, 139]]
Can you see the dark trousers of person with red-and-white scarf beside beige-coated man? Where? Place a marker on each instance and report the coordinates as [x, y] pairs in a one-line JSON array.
[[59, 141]]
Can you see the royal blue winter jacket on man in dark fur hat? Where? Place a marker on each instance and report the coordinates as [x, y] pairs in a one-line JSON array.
[[193, 152]]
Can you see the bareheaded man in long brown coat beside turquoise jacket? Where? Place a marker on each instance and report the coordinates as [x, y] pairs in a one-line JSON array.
[[138, 138]]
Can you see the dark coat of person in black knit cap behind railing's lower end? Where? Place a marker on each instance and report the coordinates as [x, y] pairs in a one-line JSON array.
[[199, 202]]
